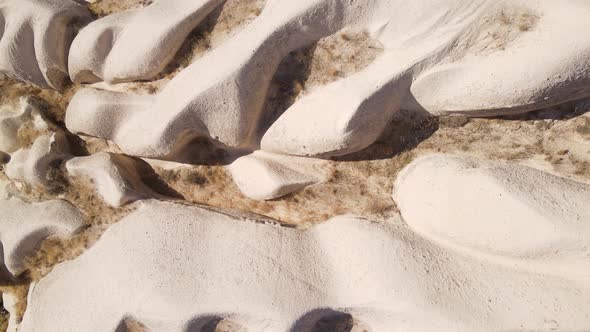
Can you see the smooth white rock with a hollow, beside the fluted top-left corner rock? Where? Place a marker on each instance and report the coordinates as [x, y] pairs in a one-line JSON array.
[[135, 44]]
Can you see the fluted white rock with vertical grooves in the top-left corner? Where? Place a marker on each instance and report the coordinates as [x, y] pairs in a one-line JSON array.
[[36, 37]]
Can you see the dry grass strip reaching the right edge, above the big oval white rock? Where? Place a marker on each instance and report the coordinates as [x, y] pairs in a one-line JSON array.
[[550, 144]]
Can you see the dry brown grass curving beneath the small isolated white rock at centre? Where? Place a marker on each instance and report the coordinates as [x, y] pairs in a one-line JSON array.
[[360, 187]]
